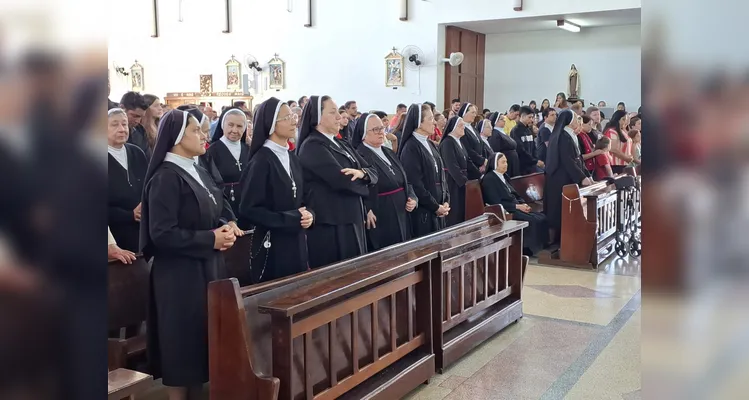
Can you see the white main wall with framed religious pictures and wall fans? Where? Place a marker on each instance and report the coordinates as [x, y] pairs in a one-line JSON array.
[[341, 55]]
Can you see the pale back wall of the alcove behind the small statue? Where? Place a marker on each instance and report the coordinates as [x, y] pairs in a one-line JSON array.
[[535, 65]]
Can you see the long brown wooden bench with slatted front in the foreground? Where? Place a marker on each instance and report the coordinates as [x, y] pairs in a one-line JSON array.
[[274, 339]]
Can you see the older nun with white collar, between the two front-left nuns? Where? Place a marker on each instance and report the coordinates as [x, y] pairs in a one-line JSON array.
[[229, 152]]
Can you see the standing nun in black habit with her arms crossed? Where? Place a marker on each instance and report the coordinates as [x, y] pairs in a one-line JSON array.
[[336, 183]]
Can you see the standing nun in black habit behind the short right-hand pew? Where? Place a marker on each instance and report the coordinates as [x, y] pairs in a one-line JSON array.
[[564, 167]]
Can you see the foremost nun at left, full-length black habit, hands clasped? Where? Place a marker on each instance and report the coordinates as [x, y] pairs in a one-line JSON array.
[[184, 231]]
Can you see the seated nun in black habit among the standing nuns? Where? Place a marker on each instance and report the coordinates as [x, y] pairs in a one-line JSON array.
[[497, 189]]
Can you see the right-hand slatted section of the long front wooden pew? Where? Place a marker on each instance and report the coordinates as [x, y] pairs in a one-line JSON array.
[[477, 284]]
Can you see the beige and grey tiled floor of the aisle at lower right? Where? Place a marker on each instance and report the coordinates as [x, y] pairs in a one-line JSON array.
[[579, 339]]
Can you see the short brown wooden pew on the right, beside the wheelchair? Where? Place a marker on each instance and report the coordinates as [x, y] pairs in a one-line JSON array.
[[590, 218]]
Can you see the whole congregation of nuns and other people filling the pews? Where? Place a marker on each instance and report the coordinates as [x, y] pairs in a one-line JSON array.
[[316, 184]]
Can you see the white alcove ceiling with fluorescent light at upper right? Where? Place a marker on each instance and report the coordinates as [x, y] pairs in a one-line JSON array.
[[549, 22]]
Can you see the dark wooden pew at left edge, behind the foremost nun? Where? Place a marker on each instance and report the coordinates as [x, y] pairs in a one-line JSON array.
[[127, 295]]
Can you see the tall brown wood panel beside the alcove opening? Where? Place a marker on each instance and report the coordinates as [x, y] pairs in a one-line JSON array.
[[466, 81]]
